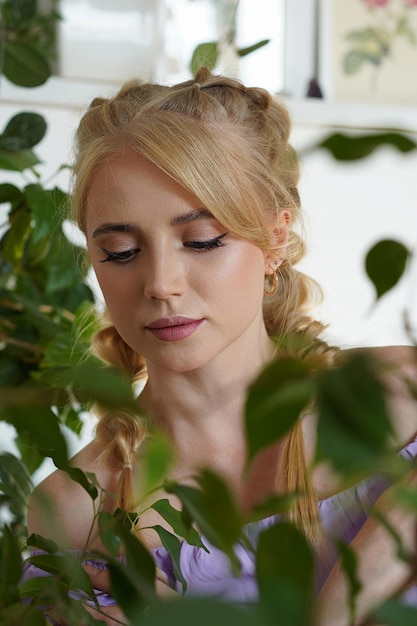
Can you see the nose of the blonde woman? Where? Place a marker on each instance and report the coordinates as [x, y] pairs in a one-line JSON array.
[[164, 277]]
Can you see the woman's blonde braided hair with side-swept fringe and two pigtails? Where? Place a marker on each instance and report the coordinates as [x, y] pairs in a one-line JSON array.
[[228, 145]]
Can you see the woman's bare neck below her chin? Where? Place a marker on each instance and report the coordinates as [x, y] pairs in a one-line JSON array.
[[202, 411]]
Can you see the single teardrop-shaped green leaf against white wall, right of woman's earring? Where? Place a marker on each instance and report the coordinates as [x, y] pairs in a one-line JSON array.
[[385, 264]]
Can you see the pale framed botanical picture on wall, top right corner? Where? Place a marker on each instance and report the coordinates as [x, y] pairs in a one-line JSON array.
[[368, 51]]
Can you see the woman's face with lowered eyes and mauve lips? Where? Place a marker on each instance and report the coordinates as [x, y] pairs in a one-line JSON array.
[[180, 289]]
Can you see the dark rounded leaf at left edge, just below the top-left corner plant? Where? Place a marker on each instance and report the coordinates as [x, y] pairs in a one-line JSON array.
[[24, 130]]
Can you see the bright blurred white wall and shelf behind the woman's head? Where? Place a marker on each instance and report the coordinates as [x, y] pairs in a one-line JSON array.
[[348, 205]]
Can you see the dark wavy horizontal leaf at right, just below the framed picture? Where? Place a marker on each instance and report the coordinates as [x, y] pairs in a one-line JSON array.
[[349, 148]]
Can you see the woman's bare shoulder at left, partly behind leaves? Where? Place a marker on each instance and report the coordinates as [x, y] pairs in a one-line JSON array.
[[62, 510]]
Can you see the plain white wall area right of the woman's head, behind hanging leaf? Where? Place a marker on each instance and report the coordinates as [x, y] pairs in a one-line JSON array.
[[348, 208]]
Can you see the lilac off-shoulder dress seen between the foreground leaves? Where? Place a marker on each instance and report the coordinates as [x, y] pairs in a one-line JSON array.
[[209, 574]]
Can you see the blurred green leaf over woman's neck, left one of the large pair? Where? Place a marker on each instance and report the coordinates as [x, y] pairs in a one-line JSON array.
[[275, 402]]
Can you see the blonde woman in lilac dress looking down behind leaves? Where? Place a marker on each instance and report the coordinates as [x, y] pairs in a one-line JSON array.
[[187, 196]]
